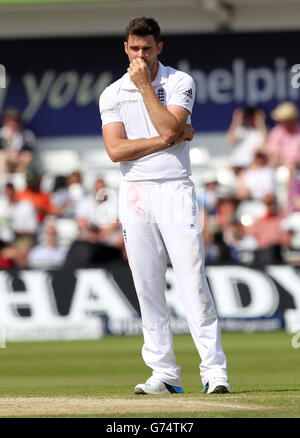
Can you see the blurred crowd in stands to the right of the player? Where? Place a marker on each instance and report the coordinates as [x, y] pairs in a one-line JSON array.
[[257, 221]]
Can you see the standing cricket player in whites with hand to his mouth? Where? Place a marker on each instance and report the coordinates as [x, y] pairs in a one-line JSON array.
[[146, 127]]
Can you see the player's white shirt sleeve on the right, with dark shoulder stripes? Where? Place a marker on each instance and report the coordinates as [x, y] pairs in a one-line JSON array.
[[183, 92]]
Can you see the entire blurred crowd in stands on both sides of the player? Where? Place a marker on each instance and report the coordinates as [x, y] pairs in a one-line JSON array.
[[250, 222]]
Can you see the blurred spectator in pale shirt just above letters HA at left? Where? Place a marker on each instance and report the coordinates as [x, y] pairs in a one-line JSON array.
[[47, 254]]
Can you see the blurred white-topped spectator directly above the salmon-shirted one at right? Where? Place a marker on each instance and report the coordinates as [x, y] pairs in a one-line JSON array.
[[257, 181]]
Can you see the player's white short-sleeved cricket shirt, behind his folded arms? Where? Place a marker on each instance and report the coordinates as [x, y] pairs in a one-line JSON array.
[[122, 102]]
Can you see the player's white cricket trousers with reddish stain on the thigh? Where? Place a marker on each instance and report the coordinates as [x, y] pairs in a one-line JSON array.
[[160, 218]]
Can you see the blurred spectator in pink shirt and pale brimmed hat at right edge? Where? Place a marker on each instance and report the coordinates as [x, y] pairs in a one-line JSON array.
[[284, 139]]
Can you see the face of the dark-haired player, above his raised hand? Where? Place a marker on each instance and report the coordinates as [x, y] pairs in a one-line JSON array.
[[145, 48]]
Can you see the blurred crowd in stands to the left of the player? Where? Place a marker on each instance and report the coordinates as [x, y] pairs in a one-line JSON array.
[[30, 217]]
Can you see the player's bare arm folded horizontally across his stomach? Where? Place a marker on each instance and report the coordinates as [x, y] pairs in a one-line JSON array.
[[119, 148]]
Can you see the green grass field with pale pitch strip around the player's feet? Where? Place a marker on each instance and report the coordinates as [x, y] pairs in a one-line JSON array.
[[96, 379]]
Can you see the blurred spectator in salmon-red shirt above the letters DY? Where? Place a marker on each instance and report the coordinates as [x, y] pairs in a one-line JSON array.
[[269, 233]]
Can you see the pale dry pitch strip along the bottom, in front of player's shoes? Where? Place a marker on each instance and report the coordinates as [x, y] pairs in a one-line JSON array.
[[89, 406]]
